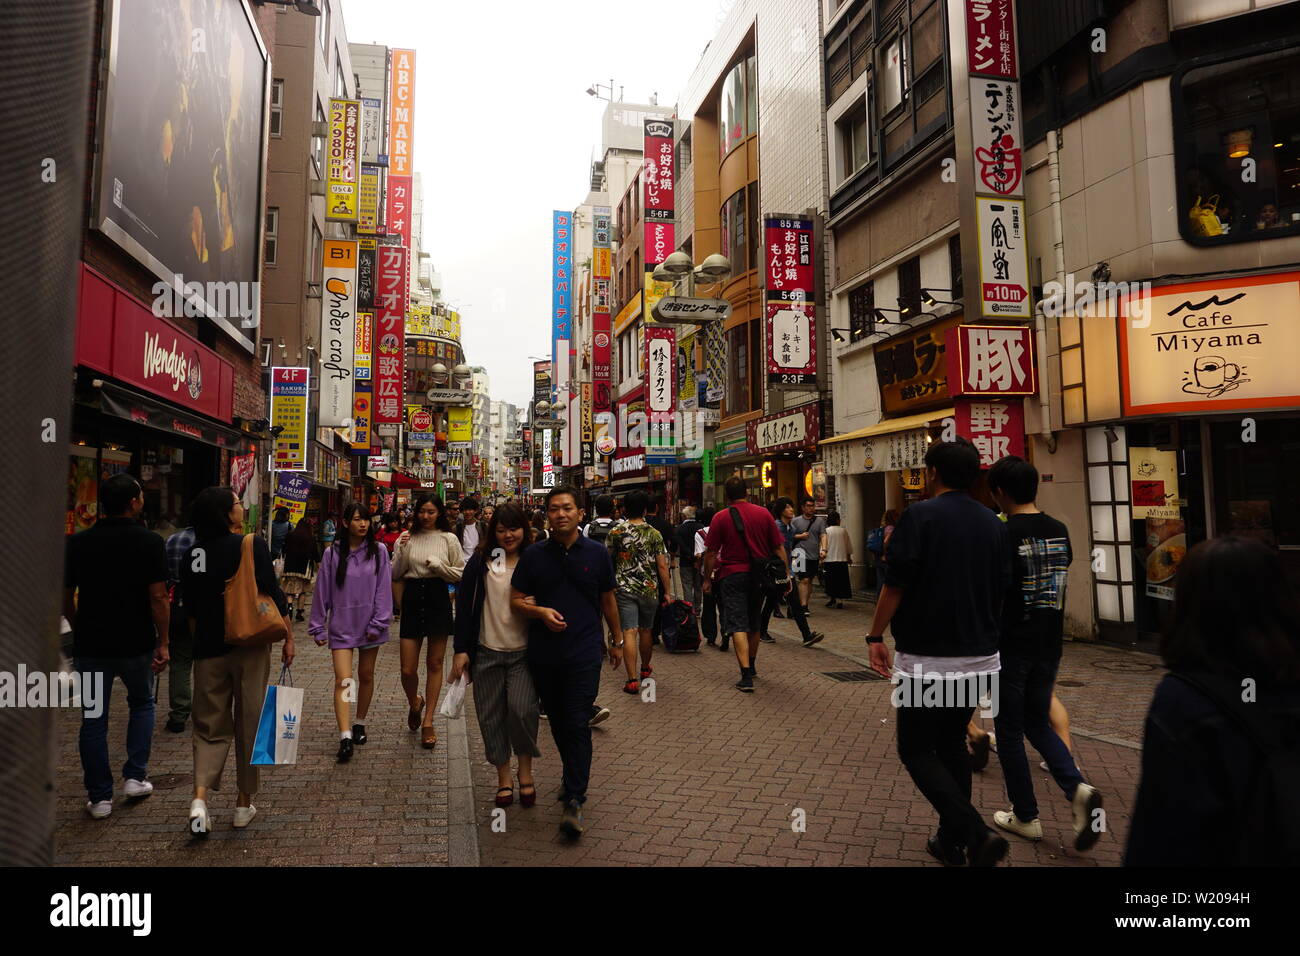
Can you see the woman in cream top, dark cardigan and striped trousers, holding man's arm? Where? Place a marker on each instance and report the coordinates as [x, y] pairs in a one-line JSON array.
[[492, 647]]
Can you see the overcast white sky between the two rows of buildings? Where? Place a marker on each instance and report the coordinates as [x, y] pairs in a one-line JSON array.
[[505, 133]]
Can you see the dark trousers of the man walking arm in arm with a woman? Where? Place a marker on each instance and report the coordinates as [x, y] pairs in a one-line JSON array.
[[569, 691]]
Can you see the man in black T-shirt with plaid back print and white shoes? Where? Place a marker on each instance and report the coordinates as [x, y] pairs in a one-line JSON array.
[[1030, 655]]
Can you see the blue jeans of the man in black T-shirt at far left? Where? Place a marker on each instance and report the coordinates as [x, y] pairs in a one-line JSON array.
[[137, 676]]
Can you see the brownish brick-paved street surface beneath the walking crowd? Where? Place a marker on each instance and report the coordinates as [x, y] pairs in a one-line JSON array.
[[701, 776]]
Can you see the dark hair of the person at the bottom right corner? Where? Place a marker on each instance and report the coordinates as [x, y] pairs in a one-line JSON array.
[[1234, 613]]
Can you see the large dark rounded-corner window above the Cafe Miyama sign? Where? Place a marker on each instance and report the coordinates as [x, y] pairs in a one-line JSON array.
[[1237, 129]]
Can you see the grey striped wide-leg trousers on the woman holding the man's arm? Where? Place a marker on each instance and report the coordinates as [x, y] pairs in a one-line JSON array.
[[506, 702]]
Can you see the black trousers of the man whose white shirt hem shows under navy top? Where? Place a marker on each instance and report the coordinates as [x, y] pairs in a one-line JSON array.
[[933, 747]]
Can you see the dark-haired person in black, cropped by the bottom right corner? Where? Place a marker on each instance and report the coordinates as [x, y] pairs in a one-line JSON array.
[[1210, 793]]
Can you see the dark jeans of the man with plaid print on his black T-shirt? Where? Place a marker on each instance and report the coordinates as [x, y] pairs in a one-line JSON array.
[[1025, 703]]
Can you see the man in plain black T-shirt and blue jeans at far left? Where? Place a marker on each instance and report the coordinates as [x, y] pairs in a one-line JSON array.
[[115, 598]]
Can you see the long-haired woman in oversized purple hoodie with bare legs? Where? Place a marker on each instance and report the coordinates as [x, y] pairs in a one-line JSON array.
[[352, 611]]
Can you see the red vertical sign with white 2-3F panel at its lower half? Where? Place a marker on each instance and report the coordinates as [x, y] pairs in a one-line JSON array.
[[791, 292]]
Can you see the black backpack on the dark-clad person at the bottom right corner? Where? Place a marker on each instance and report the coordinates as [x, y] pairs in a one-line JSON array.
[[1272, 825]]
